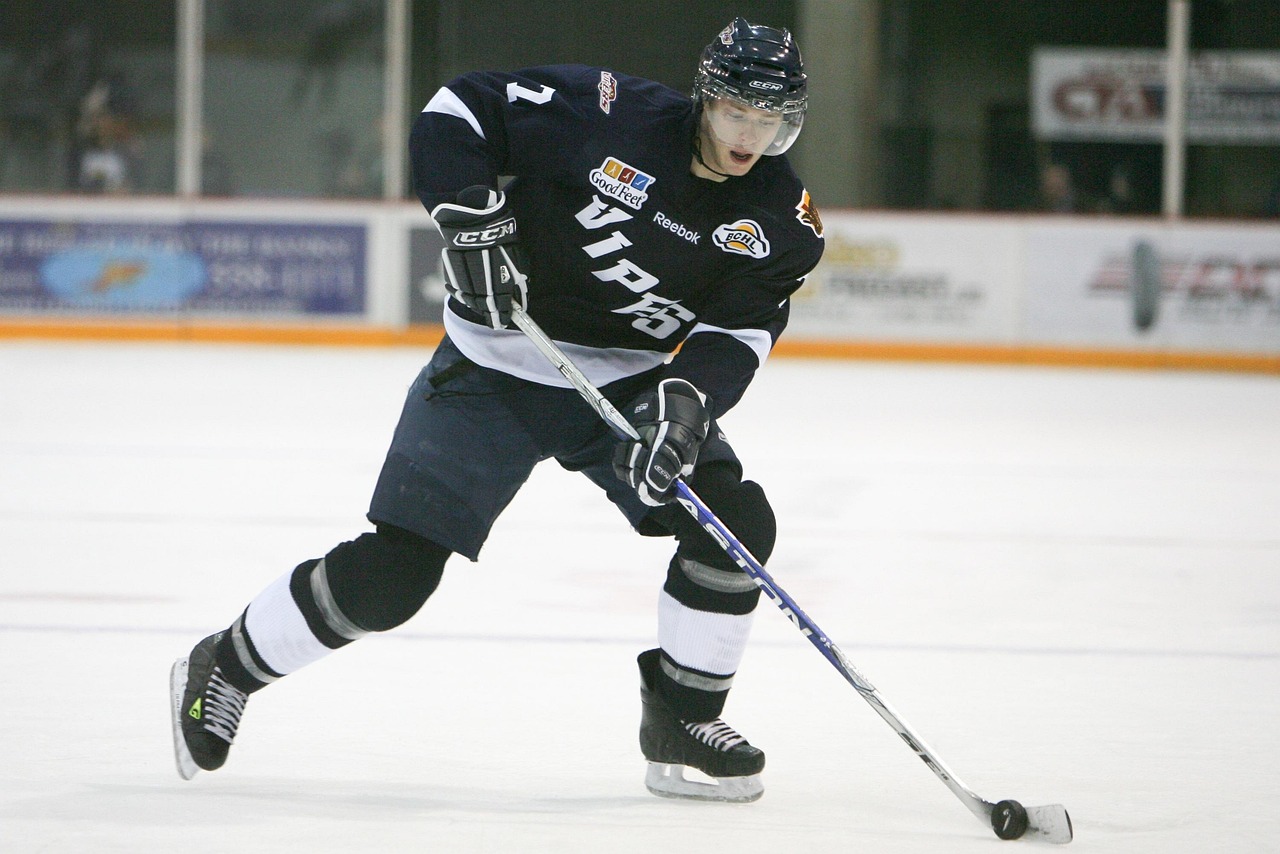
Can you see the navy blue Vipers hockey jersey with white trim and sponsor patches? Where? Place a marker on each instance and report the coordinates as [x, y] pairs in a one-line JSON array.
[[630, 255]]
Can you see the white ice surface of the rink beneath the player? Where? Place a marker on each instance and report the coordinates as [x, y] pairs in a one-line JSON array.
[[1067, 581]]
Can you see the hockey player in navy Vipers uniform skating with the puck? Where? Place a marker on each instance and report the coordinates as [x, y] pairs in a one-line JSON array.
[[639, 223]]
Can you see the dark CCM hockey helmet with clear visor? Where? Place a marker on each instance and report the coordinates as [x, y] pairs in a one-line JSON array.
[[758, 67]]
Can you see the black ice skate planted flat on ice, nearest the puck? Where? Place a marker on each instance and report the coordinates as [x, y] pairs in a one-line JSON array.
[[714, 748]]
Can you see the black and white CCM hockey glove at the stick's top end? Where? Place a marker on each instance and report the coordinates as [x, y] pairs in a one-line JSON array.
[[483, 261]]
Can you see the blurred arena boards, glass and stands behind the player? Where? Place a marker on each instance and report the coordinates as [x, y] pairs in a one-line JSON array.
[[260, 152]]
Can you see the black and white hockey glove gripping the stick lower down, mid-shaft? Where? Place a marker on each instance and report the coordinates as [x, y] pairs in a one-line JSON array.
[[673, 423]]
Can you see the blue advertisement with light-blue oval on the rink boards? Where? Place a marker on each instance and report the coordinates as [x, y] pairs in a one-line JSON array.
[[191, 268]]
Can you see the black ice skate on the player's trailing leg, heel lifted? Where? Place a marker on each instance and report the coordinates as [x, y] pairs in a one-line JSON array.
[[207, 711]]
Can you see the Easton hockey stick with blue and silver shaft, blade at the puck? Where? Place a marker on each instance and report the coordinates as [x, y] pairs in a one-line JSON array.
[[1009, 819]]
